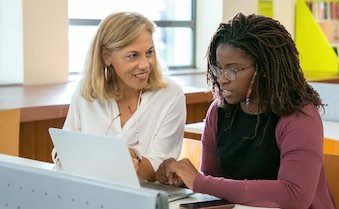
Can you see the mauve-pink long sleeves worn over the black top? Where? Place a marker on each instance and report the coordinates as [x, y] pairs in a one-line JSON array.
[[301, 181]]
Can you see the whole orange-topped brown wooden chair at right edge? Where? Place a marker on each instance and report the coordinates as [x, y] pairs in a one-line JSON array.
[[331, 165]]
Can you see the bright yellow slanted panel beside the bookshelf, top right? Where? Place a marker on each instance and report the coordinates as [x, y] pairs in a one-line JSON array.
[[316, 53]]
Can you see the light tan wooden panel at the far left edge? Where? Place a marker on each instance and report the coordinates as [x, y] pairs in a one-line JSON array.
[[9, 128]]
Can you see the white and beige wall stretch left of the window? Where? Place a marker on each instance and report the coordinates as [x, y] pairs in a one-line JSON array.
[[33, 40]]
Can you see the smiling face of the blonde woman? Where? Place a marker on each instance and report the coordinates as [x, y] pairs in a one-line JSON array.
[[133, 64]]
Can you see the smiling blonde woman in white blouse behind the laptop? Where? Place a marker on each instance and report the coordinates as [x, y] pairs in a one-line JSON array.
[[124, 93]]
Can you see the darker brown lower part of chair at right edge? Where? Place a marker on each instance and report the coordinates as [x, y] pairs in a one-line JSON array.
[[331, 164]]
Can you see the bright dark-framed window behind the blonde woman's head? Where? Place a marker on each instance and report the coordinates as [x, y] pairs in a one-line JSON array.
[[174, 38]]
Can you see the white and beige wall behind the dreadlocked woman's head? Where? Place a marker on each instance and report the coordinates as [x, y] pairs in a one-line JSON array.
[[211, 13]]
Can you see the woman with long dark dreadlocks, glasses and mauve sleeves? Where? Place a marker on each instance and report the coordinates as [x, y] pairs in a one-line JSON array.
[[263, 136]]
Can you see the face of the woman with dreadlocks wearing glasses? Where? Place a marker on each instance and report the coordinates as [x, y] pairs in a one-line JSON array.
[[229, 57]]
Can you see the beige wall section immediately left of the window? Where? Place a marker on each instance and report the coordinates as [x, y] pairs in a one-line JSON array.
[[45, 41]]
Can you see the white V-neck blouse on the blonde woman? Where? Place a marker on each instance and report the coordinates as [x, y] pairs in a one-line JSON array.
[[155, 129]]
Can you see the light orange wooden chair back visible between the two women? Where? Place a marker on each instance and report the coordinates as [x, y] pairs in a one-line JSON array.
[[191, 149]]
